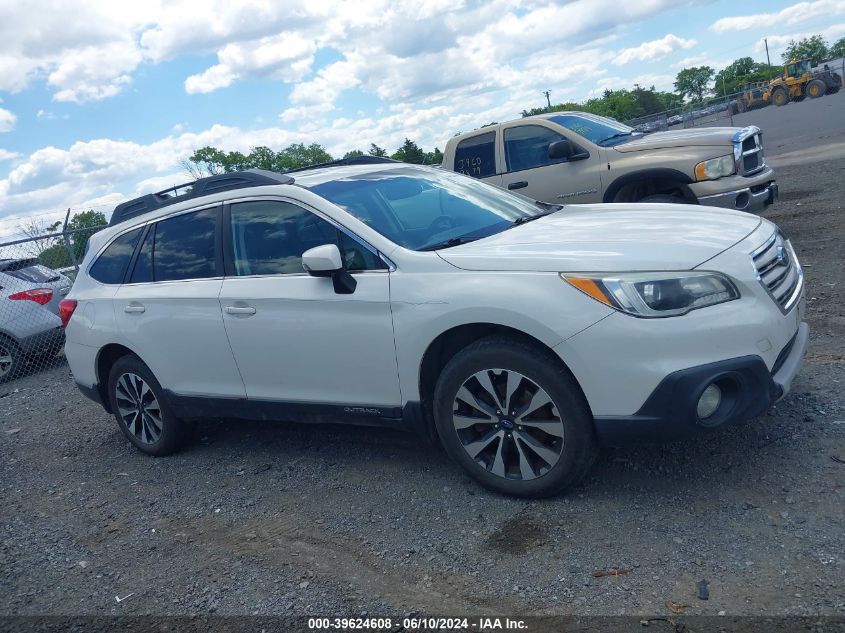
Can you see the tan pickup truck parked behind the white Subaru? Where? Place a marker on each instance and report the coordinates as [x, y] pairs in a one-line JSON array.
[[575, 157]]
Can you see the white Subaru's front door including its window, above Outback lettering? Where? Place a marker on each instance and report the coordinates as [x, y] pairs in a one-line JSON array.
[[294, 338]]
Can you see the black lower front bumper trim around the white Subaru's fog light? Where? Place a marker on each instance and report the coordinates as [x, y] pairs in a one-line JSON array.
[[748, 388]]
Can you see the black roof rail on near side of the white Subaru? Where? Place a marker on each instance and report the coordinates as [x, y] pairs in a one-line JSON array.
[[199, 188]]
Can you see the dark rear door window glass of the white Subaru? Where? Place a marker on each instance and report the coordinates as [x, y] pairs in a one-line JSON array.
[[184, 247]]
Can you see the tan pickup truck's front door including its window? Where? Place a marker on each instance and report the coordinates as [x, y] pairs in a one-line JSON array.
[[531, 172]]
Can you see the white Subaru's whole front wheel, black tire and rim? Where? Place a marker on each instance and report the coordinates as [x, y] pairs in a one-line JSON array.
[[514, 418]]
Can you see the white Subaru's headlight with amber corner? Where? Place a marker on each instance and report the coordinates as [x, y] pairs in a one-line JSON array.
[[658, 294]]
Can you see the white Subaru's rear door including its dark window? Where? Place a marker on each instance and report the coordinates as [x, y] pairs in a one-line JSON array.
[[168, 310]]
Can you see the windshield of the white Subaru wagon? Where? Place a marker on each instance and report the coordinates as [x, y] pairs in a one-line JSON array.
[[420, 209]]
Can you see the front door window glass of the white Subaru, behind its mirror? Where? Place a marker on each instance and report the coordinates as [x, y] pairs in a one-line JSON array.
[[269, 238]]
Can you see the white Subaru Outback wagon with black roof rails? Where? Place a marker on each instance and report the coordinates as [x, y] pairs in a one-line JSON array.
[[521, 335]]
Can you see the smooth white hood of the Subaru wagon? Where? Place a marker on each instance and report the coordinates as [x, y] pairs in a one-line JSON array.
[[609, 238]]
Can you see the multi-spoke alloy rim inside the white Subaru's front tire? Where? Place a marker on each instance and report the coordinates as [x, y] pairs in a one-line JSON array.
[[508, 424]]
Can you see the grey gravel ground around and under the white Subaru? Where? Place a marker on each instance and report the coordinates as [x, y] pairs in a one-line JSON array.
[[260, 518]]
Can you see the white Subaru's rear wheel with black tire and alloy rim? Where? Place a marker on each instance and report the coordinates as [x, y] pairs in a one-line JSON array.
[[141, 409]]
